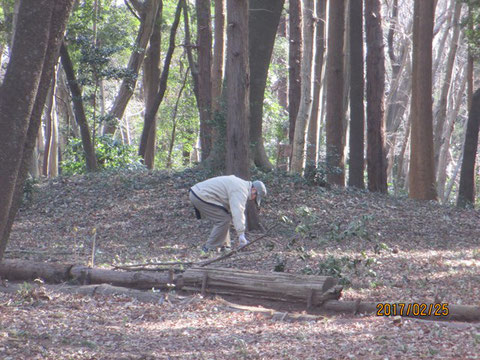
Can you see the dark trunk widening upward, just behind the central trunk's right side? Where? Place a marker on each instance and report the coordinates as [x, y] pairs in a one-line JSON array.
[[262, 26]]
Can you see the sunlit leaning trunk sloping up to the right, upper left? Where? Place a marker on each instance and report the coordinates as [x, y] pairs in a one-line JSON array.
[[148, 16]]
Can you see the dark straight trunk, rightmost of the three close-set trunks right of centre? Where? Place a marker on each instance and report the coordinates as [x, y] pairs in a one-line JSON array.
[[376, 156]]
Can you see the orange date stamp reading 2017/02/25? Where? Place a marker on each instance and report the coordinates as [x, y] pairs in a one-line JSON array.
[[412, 309]]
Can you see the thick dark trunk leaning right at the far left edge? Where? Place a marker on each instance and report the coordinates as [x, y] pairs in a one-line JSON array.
[[38, 35]]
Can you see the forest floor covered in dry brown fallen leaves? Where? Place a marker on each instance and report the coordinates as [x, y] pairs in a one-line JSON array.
[[382, 248]]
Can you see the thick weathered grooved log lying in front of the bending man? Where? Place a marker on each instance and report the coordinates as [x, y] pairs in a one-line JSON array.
[[311, 290]]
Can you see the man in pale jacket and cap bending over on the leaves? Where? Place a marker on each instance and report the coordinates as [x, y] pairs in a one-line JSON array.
[[223, 199]]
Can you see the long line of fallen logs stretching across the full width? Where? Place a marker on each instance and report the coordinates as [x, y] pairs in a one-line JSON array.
[[314, 291]]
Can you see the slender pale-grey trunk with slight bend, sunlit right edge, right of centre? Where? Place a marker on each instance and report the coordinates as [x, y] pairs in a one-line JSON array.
[[304, 111]]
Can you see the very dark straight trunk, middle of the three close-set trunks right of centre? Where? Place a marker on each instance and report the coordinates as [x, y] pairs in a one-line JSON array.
[[357, 84]]
